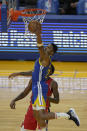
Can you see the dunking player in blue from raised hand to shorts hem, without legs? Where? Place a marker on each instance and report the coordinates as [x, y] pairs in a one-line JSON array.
[[41, 71]]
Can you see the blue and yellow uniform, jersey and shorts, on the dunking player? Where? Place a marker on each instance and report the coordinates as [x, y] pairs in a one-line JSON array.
[[39, 85]]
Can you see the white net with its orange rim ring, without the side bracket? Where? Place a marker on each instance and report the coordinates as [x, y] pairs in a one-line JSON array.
[[34, 14]]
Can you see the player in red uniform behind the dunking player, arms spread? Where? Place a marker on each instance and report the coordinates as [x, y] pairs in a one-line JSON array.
[[29, 122]]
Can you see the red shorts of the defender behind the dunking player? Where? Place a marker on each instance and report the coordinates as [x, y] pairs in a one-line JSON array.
[[29, 122]]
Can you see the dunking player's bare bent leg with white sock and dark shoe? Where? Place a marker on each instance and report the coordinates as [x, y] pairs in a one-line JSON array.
[[42, 116]]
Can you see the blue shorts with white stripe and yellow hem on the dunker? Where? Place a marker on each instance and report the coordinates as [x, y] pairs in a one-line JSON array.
[[39, 97]]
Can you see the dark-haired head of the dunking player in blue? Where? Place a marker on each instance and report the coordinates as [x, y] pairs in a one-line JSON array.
[[51, 49]]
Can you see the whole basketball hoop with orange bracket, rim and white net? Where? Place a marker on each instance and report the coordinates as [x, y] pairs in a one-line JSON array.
[[28, 15]]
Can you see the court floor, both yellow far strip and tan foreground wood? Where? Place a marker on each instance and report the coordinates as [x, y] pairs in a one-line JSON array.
[[10, 120]]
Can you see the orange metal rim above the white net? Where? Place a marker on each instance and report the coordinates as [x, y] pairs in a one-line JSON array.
[[21, 12]]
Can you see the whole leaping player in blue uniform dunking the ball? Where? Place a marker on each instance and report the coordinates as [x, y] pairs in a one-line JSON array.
[[39, 86]]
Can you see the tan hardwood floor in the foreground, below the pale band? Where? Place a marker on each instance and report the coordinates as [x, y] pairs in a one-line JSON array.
[[10, 120]]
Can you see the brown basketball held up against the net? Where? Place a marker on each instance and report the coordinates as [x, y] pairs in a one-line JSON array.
[[34, 26]]
